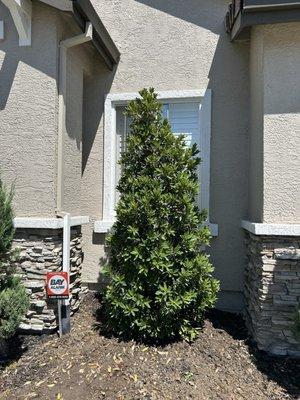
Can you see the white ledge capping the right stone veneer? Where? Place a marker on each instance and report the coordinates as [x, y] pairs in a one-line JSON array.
[[264, 229]]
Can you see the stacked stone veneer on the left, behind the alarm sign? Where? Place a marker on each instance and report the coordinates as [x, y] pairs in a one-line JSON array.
[[41, 252]]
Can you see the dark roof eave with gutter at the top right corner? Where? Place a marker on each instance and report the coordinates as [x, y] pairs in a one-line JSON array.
[[243, 14]]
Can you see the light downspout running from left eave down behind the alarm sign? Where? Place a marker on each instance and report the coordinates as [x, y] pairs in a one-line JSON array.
[[62, 131]]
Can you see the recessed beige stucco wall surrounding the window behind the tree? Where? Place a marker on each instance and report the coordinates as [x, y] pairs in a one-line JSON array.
[[183, 45]]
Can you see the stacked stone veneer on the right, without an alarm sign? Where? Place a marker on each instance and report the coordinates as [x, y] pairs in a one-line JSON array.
[[272, 292]]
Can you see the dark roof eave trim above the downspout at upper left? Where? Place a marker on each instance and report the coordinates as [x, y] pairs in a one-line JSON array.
[[84, 11]]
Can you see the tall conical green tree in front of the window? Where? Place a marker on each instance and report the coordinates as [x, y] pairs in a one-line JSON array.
[[161, 280]]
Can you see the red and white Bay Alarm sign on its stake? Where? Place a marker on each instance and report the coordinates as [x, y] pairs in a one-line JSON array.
[[58, 288]]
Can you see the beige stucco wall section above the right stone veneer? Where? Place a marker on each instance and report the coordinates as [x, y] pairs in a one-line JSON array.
[[282, 123]]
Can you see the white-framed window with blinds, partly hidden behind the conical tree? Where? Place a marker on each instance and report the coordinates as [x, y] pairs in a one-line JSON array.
[[189, 113]]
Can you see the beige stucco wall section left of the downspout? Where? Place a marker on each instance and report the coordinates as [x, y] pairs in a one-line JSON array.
[[28, 102]]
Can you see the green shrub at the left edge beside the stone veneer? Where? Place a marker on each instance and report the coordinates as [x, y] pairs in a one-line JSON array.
[[14, 301]]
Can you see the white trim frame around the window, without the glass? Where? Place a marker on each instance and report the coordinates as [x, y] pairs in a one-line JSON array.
[[112, 100]]
